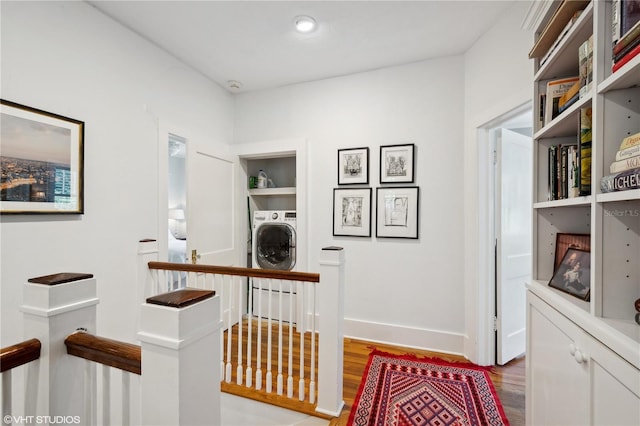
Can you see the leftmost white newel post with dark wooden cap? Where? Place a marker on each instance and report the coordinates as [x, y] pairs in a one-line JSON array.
[[55, 306]]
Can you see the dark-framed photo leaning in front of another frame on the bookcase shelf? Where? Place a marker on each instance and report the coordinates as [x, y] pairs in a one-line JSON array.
[[573, 276]]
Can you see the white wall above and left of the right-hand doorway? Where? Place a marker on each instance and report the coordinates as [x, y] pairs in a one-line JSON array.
[[497, 79]]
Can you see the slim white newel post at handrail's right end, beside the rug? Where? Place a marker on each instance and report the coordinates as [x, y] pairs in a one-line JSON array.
[[331, 331]]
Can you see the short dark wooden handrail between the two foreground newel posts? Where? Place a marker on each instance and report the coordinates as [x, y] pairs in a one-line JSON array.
[[125, 356]]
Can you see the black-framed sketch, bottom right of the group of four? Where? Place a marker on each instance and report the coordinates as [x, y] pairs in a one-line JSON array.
[[397, 212]]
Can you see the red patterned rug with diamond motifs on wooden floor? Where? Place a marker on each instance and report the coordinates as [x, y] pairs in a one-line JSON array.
[[406, 390]]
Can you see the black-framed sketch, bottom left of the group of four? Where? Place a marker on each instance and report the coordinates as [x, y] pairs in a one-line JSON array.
[[352, 212]]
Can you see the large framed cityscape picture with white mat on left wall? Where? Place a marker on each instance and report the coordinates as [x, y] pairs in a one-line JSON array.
[[42, 162]]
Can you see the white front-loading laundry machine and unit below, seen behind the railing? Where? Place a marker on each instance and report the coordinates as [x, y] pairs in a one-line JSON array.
[[274, 247]]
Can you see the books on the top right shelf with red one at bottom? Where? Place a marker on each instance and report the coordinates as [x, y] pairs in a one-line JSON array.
[[625, 31]]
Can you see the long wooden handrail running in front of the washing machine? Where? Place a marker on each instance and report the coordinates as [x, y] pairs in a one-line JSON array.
[[232, 270]]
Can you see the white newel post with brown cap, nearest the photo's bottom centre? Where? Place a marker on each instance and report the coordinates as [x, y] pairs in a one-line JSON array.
[[180, 339]]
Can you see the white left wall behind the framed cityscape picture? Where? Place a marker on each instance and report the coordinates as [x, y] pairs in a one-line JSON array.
[[69, 59]]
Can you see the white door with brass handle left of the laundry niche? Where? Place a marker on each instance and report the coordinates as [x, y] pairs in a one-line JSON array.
[[212, 207]]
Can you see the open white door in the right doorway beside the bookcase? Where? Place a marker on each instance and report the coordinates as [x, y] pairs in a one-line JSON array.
[[513, 241]]
